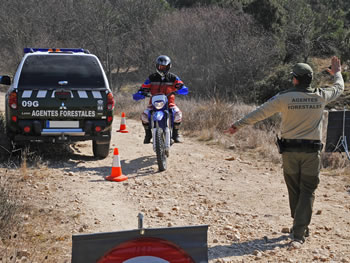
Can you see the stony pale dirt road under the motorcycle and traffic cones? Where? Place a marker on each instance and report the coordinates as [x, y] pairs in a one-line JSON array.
[[244, 201]]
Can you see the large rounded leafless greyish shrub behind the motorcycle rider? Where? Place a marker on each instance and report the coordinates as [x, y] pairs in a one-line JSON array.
[[221, 56]]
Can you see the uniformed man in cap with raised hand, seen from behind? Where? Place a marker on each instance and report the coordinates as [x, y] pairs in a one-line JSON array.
[[301, 109]]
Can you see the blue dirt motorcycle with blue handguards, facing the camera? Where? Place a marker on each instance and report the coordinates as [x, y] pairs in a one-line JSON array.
[[161, 119]]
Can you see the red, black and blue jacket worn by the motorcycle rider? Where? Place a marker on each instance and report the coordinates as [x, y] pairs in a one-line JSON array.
[[162, 85]]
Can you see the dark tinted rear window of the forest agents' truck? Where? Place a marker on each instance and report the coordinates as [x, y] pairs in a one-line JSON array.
[[65, 71]]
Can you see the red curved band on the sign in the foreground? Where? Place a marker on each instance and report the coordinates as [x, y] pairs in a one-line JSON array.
[[153, 247]]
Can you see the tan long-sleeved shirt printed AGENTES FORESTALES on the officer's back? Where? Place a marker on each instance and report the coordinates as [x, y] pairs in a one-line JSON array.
[[301, 108]]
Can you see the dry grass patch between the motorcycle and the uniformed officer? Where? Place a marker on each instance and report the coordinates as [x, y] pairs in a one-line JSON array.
[[213, 117]]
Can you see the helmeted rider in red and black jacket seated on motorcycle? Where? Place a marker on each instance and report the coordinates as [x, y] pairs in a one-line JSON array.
[[162, 82]]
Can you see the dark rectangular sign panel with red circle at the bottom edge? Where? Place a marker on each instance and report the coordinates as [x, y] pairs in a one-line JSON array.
[[151, 245]]
